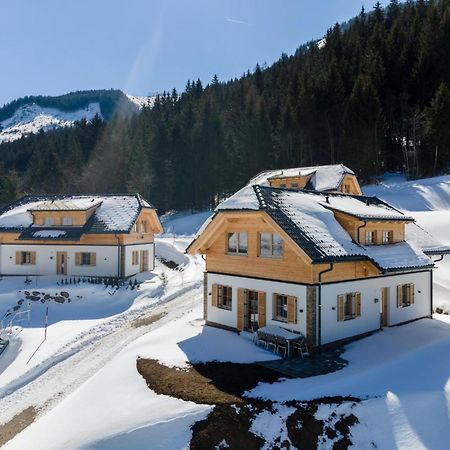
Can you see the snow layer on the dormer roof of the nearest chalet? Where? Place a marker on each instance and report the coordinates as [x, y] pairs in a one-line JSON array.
[[363, 207]]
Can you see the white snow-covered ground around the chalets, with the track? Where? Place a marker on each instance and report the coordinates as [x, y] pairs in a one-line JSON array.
[[89, 395]]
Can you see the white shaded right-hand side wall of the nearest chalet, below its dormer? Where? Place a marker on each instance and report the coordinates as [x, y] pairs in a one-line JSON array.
[[333, 330]]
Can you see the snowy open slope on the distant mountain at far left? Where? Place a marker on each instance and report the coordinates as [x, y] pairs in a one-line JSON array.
[[32, 118]]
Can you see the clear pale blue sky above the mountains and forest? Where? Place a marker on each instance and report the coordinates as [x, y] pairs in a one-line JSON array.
[[51, 47]]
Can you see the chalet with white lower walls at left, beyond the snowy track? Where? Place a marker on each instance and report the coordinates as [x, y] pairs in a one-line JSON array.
[[78, 235]]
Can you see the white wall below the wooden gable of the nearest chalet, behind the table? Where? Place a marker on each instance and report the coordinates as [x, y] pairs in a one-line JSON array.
[[229, 318]]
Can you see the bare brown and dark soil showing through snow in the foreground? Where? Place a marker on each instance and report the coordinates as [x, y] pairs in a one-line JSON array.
[[228, 424]]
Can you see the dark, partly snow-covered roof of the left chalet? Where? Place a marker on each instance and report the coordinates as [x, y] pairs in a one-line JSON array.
[[114, 214]]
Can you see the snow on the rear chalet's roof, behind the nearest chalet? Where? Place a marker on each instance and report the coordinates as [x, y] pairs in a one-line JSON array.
[[323, 177]]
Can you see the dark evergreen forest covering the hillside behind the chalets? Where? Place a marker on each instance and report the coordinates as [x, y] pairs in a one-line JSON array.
[[373, 95]]
